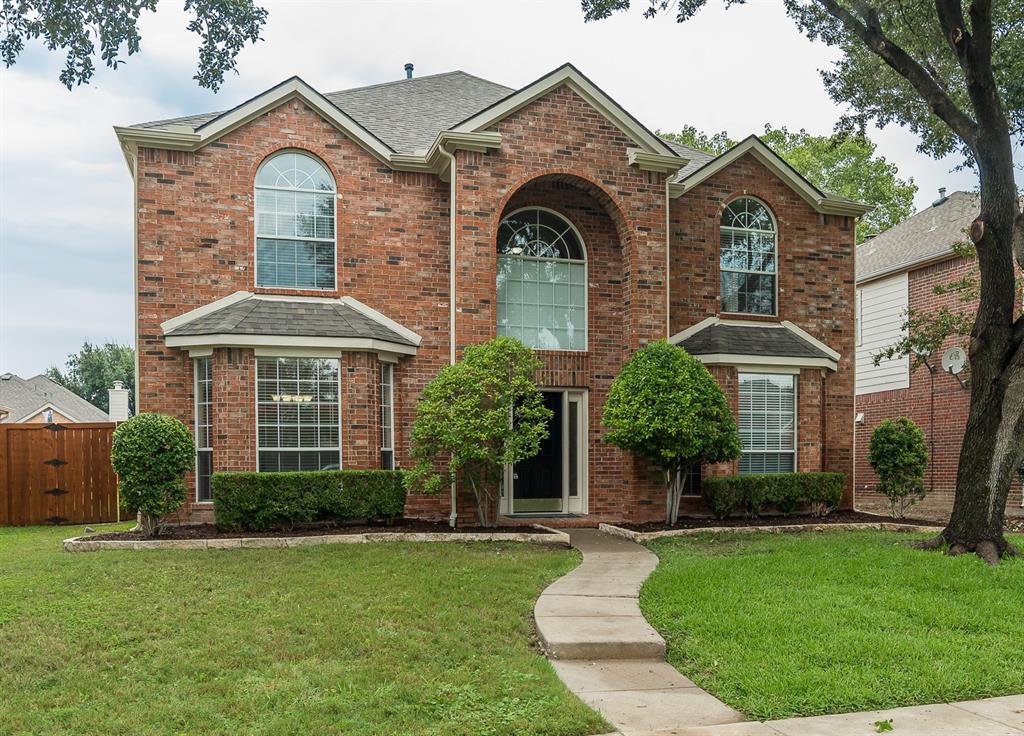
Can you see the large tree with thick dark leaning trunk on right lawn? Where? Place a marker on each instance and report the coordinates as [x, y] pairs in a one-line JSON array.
[[954, 74]]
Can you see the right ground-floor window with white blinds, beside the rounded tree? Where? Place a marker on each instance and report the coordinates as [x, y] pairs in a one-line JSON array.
[[767, 423]]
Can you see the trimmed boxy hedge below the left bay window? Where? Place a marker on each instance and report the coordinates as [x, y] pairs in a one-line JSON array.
[[258, 502]]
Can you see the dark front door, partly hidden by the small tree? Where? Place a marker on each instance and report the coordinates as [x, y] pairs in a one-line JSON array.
[[538, 483]]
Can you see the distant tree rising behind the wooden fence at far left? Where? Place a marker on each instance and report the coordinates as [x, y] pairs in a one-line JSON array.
[[93, 371]]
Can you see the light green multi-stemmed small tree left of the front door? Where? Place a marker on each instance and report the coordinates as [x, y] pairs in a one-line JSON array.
[[477, 417]]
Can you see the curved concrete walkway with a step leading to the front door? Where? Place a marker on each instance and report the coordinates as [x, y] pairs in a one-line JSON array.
[[605, 651]]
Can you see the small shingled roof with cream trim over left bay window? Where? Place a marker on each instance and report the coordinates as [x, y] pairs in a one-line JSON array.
[[244, 319]]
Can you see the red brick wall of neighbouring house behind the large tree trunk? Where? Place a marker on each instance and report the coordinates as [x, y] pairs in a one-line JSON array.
[[945, 426]]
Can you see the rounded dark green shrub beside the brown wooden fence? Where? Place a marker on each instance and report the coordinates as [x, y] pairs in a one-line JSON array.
[[151, 455]]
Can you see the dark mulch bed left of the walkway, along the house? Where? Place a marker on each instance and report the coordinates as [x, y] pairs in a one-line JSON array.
[[210, 532]]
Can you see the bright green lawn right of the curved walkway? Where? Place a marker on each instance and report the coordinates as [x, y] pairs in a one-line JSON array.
[[797, 625]]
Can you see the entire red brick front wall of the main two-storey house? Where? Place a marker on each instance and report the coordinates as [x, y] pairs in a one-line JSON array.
[[196, 245]]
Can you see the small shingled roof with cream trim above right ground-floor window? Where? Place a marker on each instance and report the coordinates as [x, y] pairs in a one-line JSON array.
[[735, 342]]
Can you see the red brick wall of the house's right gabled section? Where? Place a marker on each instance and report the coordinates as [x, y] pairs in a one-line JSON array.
[[816, 292]]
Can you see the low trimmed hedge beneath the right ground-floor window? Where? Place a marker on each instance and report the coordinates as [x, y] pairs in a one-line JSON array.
[[750, 494]]
